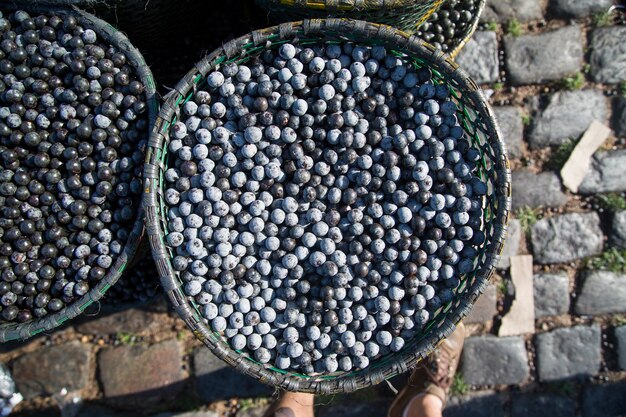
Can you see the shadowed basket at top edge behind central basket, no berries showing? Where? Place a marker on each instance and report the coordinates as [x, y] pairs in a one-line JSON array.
[[407, 15]]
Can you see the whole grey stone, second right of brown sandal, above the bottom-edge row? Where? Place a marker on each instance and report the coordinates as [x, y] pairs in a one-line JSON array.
[[569, 352]]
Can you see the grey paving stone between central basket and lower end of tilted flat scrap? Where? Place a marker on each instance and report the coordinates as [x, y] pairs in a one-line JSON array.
[[536, 190]]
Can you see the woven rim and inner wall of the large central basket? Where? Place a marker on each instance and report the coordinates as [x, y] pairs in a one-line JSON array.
[[475, 116]]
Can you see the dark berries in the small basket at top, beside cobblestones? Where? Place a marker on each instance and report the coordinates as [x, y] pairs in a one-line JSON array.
[[448, 26]]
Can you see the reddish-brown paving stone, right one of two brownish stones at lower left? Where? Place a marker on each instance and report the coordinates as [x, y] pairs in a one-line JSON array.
[[136, 374]]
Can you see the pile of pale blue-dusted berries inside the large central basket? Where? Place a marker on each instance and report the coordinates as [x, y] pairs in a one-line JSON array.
[[323, 204]]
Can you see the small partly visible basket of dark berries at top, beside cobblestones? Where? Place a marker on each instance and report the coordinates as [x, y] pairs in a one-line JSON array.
[[456, 12]]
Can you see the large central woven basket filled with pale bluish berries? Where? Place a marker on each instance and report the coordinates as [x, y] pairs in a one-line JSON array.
[[324, 202]]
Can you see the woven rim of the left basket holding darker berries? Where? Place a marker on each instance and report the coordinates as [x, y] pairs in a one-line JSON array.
[[135, 242]]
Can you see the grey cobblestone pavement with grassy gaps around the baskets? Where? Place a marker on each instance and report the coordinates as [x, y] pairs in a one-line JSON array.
[[145, 362]]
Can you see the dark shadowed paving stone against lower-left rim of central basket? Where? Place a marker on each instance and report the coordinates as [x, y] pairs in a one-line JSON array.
[[216, 380]]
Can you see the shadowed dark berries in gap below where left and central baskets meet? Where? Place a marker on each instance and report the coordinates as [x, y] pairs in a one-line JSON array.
[[138, 284]]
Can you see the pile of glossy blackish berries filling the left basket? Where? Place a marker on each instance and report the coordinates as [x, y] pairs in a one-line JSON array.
[[72, 117]]
